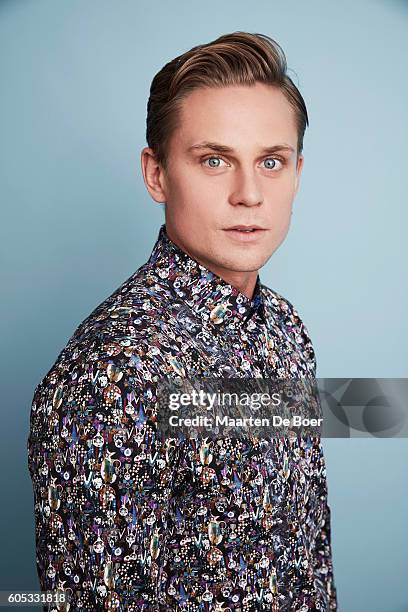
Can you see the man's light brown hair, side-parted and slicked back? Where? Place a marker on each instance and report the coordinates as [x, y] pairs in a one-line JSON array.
[[239, 58]]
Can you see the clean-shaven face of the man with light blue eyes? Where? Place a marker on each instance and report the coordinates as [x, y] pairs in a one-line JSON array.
[[208, 190]]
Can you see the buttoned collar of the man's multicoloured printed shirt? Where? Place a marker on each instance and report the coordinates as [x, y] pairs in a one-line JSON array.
[[207, 294]]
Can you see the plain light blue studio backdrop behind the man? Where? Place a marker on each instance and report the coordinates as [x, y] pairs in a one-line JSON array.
[[77, 221]]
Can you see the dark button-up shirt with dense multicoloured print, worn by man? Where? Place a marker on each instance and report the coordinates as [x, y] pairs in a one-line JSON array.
[[126, 521]]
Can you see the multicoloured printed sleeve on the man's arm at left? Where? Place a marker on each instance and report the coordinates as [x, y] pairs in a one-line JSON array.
[[101, 481]]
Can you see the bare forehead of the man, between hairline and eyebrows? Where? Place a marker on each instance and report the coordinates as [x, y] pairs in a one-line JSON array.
[[236, 115]]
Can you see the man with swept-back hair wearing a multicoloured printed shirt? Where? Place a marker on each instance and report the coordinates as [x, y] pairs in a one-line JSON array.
[[125, 520]]
